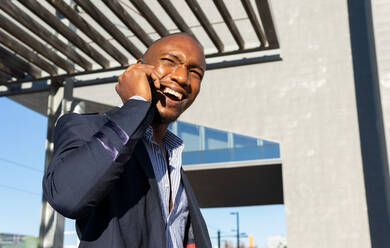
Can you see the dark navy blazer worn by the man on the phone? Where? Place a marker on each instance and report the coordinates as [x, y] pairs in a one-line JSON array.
[[115, 201]]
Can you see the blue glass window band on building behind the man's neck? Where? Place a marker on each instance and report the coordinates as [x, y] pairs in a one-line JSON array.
[[209, 145]]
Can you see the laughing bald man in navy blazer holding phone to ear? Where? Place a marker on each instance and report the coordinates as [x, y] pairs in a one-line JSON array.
[[119, 174]]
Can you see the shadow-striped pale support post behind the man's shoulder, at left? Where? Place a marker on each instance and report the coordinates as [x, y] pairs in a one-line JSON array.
[[51, 232]]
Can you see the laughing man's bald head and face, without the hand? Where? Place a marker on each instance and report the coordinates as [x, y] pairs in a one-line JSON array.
[[181, 62]]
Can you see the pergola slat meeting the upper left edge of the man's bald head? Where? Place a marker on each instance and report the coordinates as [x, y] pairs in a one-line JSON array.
[[124, 16]]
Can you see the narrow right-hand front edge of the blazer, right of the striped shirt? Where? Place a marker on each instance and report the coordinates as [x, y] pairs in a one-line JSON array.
[[199, 228]]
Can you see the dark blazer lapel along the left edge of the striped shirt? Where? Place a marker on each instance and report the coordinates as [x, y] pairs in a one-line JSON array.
[[141, 154]]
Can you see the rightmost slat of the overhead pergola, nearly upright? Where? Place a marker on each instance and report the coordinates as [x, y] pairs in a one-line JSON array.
[[263, 6]]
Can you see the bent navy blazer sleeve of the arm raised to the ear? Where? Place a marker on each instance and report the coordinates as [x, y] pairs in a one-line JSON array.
[[88, 159]]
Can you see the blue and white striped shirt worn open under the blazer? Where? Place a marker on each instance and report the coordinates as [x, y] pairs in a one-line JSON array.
[[175, 221]]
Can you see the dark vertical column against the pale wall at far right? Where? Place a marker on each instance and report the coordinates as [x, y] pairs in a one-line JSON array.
[[370, 117]]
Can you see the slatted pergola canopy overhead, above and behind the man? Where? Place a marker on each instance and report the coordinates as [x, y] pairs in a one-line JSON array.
[[49, 40]]
